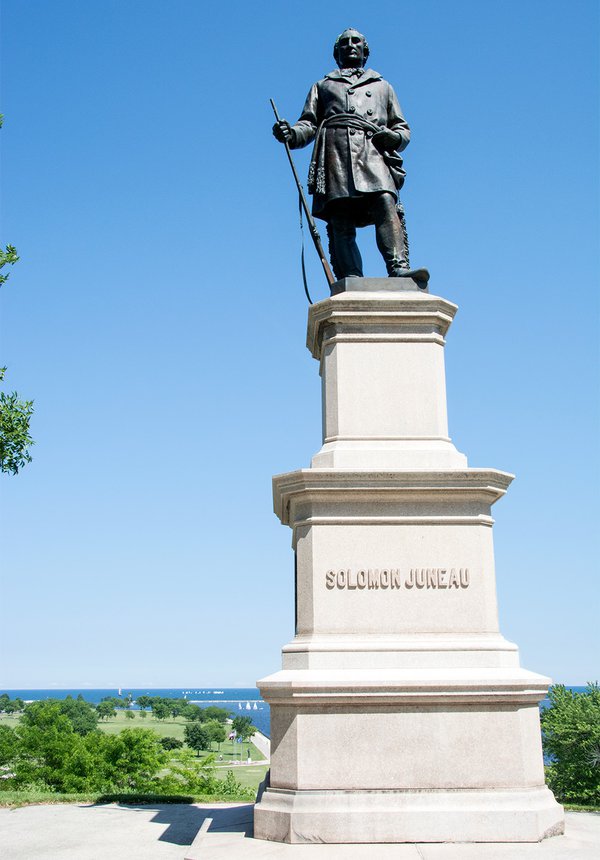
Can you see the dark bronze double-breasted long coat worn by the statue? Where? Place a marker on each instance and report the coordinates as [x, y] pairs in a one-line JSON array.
[[353, 166]]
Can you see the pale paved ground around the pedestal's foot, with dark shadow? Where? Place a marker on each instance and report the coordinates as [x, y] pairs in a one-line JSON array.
[[166, 832]]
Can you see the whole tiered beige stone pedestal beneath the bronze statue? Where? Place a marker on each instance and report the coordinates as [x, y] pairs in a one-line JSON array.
[[401, 714]]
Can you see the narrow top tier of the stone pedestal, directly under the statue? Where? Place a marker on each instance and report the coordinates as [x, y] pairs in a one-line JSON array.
[[384, 388]]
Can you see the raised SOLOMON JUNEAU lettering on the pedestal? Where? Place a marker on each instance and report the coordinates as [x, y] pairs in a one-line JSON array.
[[392, 578]]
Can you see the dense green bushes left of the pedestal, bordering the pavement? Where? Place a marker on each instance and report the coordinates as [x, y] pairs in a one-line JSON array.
[[52, 750]]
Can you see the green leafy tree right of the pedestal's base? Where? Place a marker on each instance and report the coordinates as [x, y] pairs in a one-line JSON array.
[[571, 739]]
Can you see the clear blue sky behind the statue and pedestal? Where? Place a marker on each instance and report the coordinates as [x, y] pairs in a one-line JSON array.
[[157, 316]]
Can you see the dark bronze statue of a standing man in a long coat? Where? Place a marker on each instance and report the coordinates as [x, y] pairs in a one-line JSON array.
[[355, 174]]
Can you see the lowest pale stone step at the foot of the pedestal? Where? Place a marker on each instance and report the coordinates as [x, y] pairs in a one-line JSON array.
[[406, 816]]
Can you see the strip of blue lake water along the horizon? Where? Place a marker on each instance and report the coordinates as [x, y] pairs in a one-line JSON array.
[[240, 701]]
